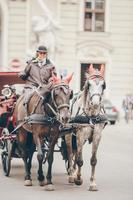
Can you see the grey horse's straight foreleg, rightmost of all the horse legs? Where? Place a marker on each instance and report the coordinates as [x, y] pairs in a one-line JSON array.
[[93, 160]]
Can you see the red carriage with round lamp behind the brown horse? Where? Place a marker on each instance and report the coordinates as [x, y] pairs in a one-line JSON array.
[[9, 95]]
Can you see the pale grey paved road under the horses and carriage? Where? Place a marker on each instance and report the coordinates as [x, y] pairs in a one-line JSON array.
[[114, 172]]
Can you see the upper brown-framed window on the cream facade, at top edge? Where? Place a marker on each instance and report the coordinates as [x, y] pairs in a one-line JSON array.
[[94, 15]]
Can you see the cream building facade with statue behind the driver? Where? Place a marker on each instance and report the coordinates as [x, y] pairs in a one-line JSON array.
[[77, 33]]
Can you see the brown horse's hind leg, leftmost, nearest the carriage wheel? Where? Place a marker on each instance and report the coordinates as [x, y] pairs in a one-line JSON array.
[[22, 138]]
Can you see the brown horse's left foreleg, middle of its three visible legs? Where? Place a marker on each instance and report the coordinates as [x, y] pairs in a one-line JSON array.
[[40, 156]]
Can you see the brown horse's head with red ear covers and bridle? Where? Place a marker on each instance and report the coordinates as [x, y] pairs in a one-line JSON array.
[[60, 97]]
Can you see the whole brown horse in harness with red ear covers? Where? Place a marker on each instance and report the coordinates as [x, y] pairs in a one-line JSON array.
[[47, 113]]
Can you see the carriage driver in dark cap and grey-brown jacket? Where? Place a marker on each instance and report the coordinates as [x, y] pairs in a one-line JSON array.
[[37, 72]]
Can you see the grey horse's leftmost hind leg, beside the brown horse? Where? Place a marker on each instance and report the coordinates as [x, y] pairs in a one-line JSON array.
[[68, 139]]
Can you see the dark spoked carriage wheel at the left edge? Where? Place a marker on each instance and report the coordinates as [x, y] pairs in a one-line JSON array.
[[6, 154]]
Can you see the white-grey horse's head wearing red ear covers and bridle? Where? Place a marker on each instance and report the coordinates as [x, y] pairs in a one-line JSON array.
[[94, 88]]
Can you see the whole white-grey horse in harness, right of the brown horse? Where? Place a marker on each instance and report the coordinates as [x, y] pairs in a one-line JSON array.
[[87, 105]]
